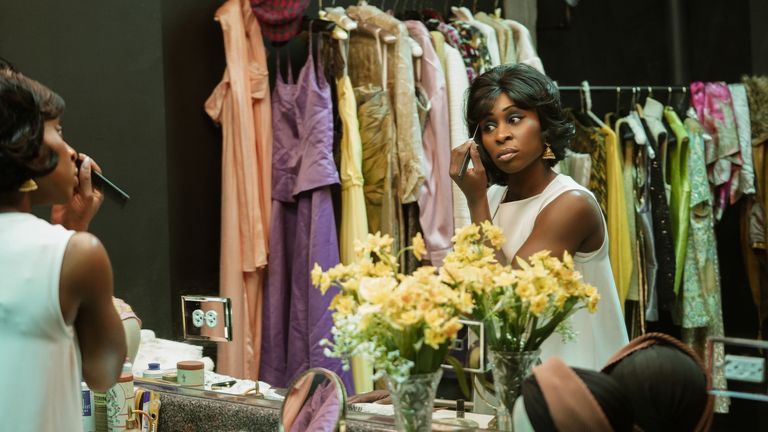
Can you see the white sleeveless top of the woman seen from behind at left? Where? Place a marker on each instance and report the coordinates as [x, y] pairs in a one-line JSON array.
[[40, 364]]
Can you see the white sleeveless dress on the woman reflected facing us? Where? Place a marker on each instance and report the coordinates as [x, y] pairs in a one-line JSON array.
[[598, 335]]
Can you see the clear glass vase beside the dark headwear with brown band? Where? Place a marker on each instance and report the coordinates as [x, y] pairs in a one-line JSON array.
[[509, 371]]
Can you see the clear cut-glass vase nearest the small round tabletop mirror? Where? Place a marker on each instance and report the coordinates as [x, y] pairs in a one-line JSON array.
[[413, 400]]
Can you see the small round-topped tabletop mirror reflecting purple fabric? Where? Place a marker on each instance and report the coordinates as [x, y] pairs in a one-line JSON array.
[[315, 401]]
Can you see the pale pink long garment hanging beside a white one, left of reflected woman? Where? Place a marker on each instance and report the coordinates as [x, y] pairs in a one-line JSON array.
[[436, 196]]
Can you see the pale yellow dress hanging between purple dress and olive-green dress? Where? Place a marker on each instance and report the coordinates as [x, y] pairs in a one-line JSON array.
[[354, 218]]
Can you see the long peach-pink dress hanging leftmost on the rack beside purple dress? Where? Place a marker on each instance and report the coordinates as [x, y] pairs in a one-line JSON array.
[[241, 104]]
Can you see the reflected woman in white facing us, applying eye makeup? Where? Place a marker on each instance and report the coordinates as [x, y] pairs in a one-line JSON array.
[[522, 132]]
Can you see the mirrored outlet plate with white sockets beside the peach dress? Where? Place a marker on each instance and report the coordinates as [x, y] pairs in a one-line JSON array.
[[206, 318]]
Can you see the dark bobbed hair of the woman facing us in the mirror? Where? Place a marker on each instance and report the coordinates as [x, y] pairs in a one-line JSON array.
[[529, 89]]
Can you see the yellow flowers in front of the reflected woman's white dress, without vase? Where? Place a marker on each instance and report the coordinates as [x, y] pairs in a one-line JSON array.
[[520, 307]]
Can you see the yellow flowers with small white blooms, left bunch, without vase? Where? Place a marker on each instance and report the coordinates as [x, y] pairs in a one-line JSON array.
[[402, 323]]
